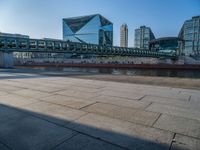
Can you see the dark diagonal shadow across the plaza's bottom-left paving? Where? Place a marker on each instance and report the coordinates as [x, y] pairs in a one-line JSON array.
[[23, 130]]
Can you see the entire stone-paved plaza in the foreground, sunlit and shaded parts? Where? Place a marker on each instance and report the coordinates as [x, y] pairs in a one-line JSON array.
[[39, 112]]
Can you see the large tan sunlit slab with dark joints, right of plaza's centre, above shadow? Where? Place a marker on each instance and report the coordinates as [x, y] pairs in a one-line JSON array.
[[123, 113]]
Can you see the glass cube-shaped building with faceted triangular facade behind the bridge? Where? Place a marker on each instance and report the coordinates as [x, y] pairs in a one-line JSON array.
[[93, 29]]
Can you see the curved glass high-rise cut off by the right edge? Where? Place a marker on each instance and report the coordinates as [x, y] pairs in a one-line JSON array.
[[190, 37]]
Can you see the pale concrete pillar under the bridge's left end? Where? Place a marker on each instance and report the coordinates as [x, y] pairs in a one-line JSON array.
[[6, 60]]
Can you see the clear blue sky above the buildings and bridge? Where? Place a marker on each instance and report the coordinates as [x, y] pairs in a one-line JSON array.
[[43, 18]]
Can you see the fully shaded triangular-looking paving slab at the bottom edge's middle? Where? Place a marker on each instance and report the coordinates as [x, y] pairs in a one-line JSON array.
[[86, 143]]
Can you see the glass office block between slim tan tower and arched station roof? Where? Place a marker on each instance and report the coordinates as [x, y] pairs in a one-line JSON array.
[[142, 37]]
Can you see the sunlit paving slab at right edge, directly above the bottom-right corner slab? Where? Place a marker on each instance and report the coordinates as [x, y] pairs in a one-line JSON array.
[[180, 125]]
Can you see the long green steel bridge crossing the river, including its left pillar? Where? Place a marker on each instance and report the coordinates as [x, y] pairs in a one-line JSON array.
[[8, 45]]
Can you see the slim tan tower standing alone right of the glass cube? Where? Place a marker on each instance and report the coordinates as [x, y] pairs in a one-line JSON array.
[[124, 35]]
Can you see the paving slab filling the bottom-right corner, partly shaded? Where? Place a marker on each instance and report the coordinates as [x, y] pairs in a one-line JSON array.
[[185, 143]]
